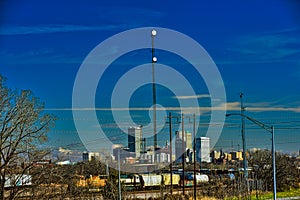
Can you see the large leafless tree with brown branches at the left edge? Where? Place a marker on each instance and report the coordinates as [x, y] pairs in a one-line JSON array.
[[23, 127]]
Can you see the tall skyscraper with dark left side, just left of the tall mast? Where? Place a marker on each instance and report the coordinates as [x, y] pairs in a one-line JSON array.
[[135, 140]]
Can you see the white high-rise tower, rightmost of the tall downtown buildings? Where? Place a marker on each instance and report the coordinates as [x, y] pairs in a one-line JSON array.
[[203, 149]]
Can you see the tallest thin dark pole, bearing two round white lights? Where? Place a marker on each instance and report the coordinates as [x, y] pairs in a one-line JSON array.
[[154, 60]]
